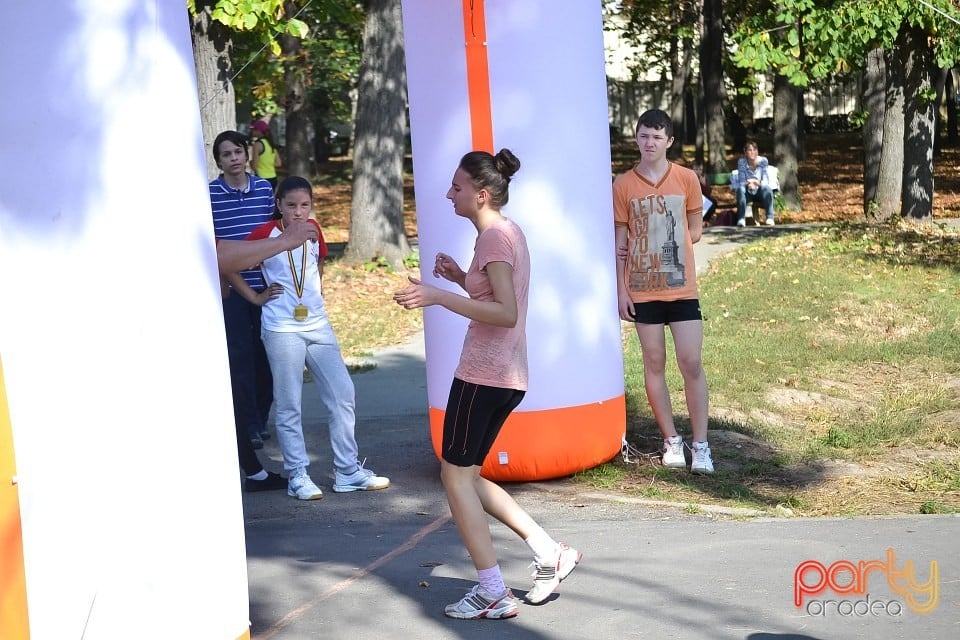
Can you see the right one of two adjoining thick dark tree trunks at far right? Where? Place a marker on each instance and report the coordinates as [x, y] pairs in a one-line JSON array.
[[918, 123]]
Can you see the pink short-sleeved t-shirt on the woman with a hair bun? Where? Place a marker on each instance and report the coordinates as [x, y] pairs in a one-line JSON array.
[[497, 356]]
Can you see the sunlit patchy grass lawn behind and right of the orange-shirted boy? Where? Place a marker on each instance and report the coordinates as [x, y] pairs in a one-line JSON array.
[[832, 358]]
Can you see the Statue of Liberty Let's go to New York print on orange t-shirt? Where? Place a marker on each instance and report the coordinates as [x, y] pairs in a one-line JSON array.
[[657, 256]]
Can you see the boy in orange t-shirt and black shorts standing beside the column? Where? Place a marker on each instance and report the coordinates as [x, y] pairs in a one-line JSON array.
[[658, 216]]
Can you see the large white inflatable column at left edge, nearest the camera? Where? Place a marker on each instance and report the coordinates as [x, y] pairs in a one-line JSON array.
[[114, 362]]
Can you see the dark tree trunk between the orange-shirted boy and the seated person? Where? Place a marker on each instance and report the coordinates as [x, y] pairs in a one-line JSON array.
[[711, 77]]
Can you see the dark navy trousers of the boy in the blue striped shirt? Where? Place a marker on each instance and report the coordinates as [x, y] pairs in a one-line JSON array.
[[250, 376]]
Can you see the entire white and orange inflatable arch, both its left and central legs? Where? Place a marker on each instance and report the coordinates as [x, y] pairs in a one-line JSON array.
[[105, 225]]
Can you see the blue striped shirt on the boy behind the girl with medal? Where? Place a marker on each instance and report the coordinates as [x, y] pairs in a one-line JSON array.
[[237, 212]]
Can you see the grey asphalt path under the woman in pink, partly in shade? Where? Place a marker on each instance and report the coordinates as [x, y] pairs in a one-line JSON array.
[[382, 564]]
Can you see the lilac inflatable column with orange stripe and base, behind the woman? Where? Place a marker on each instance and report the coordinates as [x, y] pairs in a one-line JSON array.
[[529, 76]]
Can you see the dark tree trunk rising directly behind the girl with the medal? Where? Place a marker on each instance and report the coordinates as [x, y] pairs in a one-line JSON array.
[[297, 151]]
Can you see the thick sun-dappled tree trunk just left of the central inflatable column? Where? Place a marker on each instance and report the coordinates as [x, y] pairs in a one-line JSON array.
[[376, 211]]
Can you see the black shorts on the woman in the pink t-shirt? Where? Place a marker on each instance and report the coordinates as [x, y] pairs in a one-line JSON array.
[[475, 413]]
